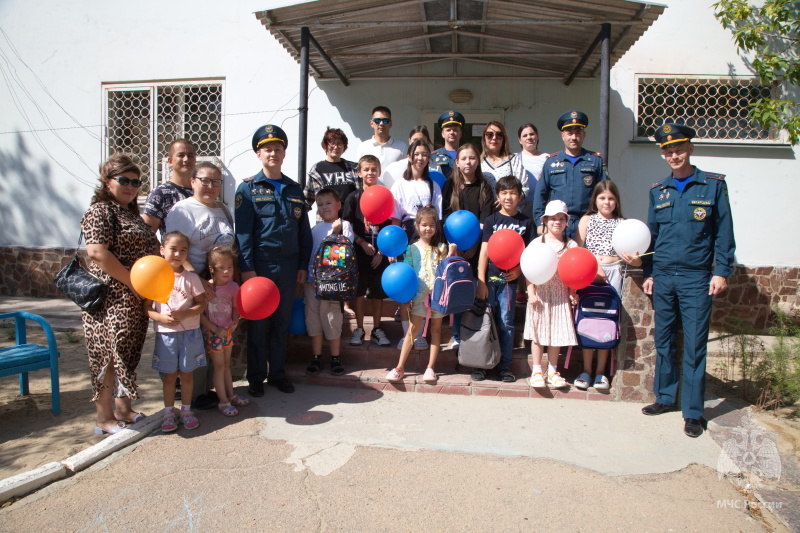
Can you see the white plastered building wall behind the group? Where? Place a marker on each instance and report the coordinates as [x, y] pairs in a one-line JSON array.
[[75, 46]]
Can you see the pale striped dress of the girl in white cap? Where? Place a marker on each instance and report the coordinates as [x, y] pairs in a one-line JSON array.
[[549, 322]]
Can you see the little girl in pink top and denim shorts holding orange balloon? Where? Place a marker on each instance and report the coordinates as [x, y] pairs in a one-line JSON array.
[[179, 342]]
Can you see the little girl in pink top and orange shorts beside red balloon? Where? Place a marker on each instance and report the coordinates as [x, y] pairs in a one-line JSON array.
[[220, 321]]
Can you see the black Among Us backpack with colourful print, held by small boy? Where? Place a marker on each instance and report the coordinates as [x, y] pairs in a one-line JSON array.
[[335, 269]]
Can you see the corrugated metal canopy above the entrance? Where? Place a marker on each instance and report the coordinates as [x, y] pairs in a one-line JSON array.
[[461, 39]]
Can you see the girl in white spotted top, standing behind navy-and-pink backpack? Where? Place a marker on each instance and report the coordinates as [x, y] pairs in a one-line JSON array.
[[594, 232]]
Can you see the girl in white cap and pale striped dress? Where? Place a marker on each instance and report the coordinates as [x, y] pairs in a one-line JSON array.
[[548, 321]]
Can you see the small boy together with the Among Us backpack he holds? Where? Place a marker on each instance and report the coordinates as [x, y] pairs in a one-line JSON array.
[[332, 276]]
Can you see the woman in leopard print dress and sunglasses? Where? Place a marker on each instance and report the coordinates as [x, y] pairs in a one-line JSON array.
[[116, 237]]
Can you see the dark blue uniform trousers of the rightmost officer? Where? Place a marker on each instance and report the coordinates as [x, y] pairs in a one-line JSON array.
[[684, 293]]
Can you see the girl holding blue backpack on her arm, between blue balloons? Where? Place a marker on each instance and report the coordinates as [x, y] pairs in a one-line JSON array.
[[424, 256]]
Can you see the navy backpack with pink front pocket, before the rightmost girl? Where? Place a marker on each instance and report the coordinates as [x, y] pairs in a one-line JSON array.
[[597, 317]]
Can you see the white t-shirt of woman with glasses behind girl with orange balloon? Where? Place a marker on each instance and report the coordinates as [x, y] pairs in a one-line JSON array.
[[205, 226]]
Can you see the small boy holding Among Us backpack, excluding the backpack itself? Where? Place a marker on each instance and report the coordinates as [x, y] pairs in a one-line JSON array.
[[325, 316]]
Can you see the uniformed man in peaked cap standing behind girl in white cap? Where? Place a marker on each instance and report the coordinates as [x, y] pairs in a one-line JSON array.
[[571, 174]]
